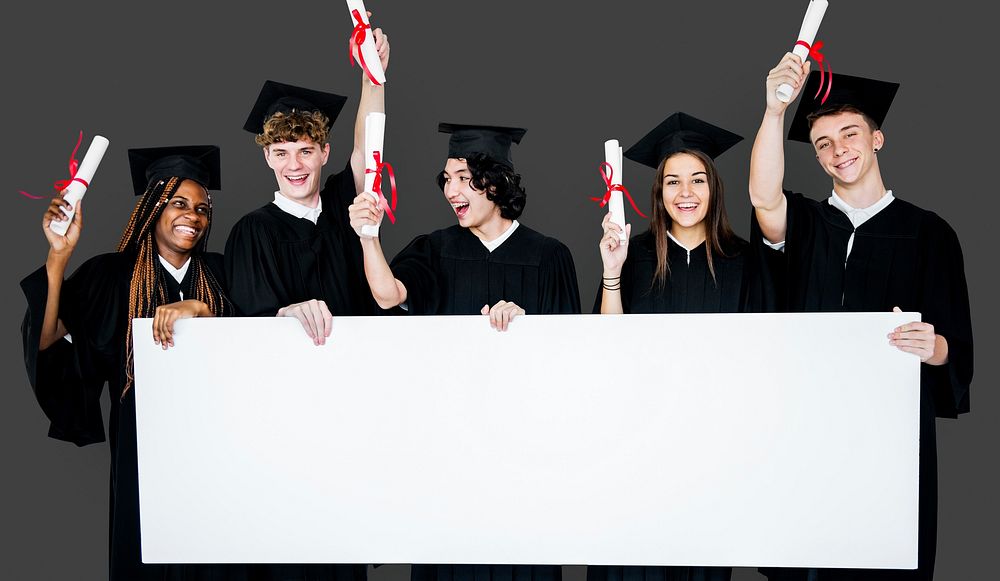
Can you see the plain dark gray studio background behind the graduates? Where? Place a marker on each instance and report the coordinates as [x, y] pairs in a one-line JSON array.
[[574, 74]]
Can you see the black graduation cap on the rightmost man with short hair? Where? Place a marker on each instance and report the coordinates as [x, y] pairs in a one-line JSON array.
[[871, 96]]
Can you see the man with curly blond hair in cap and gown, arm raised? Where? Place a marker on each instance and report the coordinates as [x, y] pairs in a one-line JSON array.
[[296, 256]]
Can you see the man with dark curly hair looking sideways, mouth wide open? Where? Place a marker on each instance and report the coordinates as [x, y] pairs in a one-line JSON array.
[[488, 263]]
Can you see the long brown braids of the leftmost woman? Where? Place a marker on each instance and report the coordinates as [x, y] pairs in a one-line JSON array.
[[148, 288]]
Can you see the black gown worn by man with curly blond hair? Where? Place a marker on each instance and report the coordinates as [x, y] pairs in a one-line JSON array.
[[274, 259]]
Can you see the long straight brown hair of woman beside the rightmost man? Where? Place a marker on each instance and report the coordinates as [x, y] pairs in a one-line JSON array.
[[718, 233]]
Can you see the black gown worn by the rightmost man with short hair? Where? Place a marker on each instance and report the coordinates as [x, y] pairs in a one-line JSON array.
[[903, 256]]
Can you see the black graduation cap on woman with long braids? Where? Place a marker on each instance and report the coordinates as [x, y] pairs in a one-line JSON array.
[[201, 163]]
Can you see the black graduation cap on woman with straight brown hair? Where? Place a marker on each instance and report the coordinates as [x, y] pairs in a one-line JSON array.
[[678, 132]]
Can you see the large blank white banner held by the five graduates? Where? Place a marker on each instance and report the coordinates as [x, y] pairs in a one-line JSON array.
[[737, 439]]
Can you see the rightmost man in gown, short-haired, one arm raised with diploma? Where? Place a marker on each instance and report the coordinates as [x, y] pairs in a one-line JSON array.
[[863, 249]]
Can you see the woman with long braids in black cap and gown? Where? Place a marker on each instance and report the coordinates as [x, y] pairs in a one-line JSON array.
[[78, 333]]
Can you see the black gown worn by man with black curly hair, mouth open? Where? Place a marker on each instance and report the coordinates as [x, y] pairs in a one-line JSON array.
[[450, 272]]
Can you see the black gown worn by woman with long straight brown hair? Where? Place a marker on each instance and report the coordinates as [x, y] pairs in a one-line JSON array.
[[689, 287]]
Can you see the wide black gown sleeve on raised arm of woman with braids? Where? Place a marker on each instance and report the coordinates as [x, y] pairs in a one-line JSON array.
[[68, 377]]
